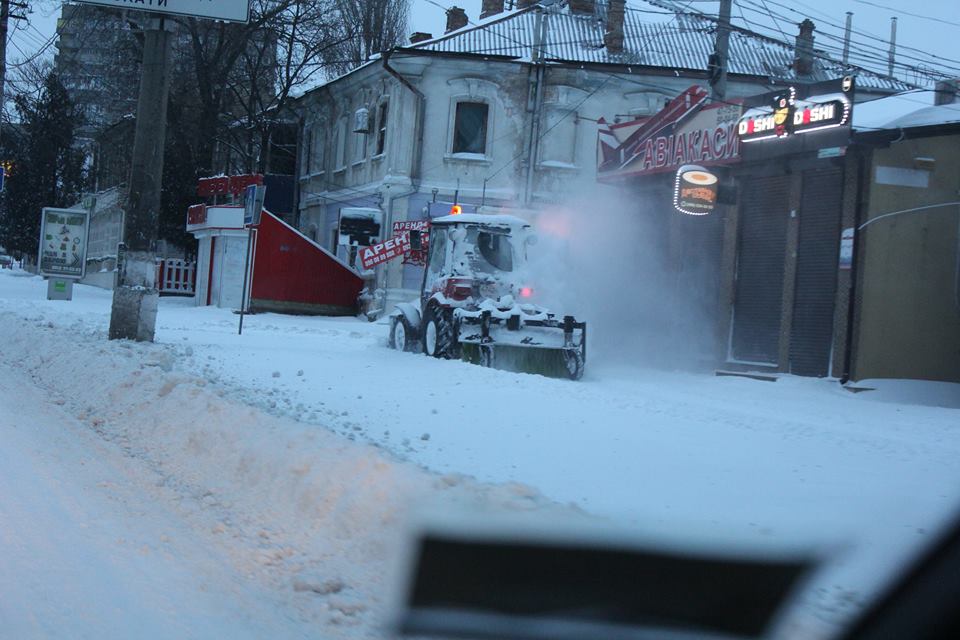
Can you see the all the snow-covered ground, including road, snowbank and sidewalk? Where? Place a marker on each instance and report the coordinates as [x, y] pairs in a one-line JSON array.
[[274, 468]]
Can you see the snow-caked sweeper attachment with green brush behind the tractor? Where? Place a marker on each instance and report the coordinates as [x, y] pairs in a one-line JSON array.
[[550, 348]]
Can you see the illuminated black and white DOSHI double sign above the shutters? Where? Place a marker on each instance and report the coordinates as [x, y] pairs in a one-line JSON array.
[[785, 114]]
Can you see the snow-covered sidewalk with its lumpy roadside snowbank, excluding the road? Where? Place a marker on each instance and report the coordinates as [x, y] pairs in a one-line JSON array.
[[303, 441]]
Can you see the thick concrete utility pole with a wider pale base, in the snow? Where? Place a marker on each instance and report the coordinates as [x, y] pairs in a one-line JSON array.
[[134, 312]]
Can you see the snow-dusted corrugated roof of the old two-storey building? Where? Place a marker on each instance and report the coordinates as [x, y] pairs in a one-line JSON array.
[[674, 41]]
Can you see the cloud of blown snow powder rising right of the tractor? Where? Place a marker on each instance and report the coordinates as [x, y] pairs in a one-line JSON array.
[[607, 260]]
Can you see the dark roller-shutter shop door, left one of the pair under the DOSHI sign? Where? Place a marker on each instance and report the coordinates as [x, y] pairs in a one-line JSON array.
[[764, 209]]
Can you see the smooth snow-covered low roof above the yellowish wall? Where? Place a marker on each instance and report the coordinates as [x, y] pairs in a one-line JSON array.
[[904, 110]]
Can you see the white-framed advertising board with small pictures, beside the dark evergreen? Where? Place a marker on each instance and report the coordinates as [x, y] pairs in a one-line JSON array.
[[63, 242]]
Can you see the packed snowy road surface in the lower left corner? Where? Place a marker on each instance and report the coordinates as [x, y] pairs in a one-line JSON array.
[[87, 552]]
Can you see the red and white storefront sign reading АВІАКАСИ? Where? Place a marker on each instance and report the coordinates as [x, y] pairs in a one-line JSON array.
[[688, 130]]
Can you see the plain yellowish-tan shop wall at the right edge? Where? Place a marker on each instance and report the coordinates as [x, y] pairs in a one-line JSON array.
[[909, 320]]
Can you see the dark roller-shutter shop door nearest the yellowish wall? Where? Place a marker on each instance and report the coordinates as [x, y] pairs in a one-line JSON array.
[[811, 338]]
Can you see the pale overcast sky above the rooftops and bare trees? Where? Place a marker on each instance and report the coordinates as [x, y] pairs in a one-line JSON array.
[[931, 26]]
